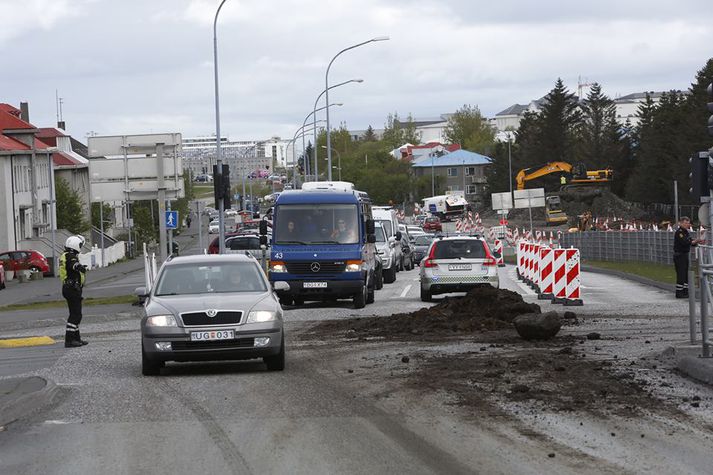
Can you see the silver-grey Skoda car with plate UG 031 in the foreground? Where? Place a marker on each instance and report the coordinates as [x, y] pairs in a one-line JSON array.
[[208, 307]]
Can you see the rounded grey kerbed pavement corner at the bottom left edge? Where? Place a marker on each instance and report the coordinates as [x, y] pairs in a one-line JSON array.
[[22, 396]]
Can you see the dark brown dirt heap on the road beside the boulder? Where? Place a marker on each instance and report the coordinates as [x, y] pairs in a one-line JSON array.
[[482, 309]]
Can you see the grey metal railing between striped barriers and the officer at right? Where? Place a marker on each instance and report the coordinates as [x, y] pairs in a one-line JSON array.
[[620, 246]]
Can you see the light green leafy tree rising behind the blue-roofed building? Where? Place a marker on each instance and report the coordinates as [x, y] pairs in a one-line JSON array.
[[471, 130]]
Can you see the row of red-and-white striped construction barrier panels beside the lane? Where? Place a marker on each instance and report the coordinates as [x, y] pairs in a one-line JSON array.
[[555, 274]]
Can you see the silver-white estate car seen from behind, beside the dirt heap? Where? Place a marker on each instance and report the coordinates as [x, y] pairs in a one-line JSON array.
[[457, 264]]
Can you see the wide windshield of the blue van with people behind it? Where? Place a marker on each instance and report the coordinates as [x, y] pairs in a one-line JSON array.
[[316, 224]]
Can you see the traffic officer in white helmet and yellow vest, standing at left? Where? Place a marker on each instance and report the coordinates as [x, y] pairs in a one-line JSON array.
[[72, 274]]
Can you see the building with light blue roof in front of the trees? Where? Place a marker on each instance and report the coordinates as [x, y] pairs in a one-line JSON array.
[[458, 172]]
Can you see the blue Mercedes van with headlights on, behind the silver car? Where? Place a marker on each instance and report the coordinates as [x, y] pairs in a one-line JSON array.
[[323, 245]]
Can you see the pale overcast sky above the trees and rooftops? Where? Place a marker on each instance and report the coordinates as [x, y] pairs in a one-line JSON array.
[[142, 66]]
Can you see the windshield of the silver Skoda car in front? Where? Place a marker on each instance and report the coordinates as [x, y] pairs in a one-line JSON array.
[[222, 277]]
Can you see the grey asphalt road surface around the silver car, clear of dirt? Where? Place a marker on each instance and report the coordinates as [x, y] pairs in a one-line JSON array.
[[239, 418]]
